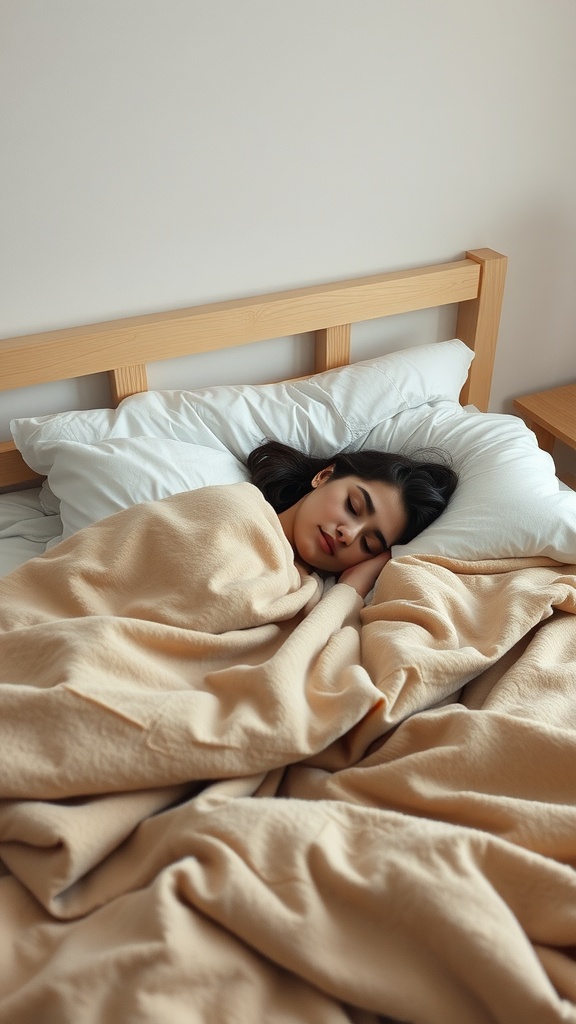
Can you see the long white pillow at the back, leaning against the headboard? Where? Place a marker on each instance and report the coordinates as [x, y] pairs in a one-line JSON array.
[[323, 414]]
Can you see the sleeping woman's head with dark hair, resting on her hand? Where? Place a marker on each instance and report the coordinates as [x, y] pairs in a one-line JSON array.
[[343, 519]]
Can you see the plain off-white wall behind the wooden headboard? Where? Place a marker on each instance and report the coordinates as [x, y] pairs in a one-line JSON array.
[[161, 153]]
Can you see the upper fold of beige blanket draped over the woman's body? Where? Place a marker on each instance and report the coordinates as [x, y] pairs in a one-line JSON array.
[[195, 665]]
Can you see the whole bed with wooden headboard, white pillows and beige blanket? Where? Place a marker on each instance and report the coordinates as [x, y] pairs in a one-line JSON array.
[[224, 801]]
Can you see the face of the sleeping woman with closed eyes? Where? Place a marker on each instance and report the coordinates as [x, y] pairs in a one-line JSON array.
[[344, 522]]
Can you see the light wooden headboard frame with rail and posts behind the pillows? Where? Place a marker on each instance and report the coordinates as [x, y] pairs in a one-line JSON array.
[[124, 348]]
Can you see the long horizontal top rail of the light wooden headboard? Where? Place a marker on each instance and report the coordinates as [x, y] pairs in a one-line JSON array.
[[96, 349]]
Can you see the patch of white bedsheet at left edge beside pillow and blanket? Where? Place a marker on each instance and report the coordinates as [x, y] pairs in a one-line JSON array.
[[25, 529]]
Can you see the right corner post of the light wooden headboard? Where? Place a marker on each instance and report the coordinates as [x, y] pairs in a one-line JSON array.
[[478, 325]]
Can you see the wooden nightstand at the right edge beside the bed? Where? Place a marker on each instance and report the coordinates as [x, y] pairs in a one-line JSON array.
[[552, 415]]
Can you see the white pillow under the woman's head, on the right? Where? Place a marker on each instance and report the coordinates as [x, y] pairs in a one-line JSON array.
[[509, 502]]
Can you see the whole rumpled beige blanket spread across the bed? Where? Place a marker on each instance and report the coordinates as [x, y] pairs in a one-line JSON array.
[[225, 802]]
